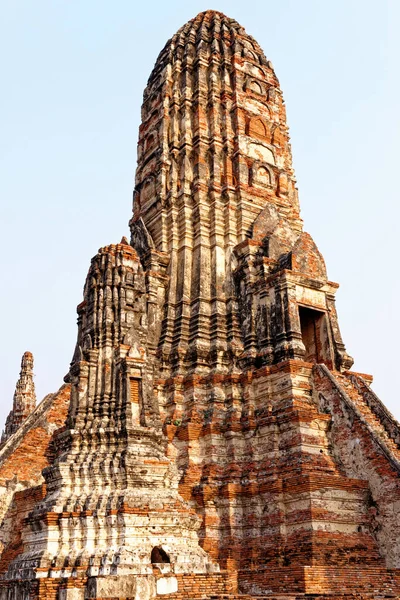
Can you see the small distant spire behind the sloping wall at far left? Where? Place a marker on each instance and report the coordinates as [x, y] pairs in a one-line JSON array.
[[24, 401]]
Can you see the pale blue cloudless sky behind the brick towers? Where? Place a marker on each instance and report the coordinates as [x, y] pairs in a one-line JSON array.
[[72, 78]]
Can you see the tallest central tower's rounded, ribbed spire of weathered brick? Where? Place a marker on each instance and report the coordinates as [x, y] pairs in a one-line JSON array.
[[213, 153]]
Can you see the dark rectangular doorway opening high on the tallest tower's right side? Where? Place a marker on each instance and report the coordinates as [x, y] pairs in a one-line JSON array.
[[314, 333]]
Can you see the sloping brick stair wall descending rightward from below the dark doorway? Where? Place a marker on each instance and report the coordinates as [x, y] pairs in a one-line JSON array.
[[366, 446]]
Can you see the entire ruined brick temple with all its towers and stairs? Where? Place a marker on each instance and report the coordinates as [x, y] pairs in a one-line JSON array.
[[210, 440]]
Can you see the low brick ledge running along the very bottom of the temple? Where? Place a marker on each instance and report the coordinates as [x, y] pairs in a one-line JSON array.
[[313, 583]]
